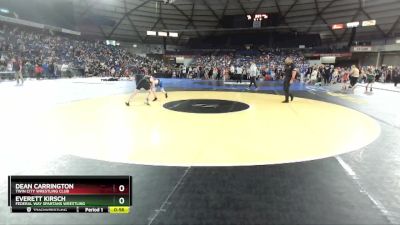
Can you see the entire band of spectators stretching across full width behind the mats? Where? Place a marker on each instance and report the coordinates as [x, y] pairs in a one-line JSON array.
[[39, 53]]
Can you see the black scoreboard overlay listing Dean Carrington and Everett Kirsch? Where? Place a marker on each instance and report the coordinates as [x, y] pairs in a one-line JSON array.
[[70, 194]]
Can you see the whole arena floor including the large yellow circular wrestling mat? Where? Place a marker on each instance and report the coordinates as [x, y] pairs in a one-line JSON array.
[[327, 158]]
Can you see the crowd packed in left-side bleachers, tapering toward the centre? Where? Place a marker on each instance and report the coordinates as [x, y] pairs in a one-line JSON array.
[[44, 53]]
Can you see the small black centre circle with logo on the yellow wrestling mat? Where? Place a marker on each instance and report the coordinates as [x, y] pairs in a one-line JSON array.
[[206, 106]]
